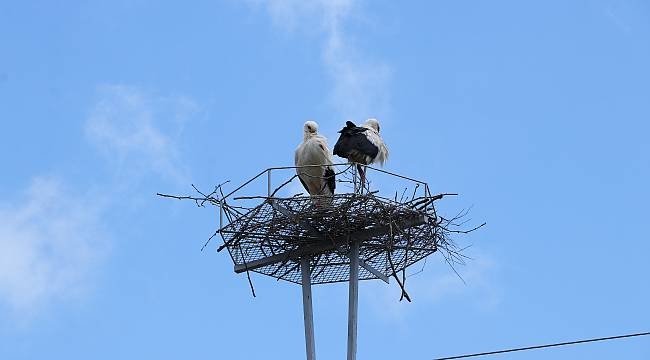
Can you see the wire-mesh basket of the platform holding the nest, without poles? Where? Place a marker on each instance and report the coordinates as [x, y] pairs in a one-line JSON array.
[[272, 237]]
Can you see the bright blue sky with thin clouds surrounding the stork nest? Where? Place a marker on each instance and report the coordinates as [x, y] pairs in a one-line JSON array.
[[537, 113]]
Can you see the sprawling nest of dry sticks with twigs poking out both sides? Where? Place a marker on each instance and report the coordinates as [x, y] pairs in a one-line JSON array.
[[271, 236]]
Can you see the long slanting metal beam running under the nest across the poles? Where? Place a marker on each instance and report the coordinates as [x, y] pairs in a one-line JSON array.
[[322, 246]]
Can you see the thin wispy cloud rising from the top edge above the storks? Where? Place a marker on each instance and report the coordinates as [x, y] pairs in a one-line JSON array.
[[360, 85]]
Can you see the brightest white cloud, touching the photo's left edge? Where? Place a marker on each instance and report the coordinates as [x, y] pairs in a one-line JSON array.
[[50, 242]]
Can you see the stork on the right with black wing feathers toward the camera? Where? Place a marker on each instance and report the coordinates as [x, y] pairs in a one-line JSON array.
[[362, 144]]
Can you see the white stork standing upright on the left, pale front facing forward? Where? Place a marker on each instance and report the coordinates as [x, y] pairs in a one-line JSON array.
[[319, 179]]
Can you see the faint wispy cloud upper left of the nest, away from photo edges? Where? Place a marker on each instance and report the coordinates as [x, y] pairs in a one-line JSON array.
[[138, 131]]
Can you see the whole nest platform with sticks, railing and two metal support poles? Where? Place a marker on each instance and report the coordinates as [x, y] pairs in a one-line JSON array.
[[357, 234]]
